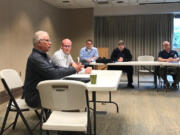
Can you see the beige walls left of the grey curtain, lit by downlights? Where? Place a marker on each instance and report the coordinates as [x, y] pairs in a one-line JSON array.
[[19, 19]]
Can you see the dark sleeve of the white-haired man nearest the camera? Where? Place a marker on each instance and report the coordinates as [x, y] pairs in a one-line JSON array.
[[47, 69]]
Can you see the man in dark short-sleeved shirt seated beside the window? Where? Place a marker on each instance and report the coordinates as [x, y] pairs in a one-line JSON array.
[[168, 55]]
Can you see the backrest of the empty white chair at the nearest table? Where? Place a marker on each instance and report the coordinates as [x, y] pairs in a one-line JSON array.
[[62, 94]]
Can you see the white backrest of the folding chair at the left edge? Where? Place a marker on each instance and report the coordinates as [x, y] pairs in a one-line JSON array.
[[12, 78]]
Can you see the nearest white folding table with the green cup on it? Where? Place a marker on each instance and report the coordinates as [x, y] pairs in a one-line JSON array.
[[107, 80]]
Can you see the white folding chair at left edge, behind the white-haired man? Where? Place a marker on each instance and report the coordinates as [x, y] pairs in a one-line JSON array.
[[11, 80]]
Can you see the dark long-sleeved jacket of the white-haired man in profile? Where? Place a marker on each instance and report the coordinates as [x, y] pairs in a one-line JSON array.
[[39, 68]]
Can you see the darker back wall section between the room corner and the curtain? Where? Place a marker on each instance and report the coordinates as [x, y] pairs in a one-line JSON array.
[[79, 29]]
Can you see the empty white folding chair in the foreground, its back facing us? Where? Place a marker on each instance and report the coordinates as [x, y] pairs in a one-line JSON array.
[[60, 96]]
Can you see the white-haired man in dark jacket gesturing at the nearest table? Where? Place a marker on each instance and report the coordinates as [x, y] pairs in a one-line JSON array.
[[40, 67]]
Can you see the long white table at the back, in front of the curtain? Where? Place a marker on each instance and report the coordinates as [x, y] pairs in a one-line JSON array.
[[142, 64]]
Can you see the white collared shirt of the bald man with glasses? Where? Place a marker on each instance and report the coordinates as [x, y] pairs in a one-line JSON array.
[[62, 59]]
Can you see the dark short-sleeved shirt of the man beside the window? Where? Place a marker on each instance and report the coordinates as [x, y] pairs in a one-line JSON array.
[[165, 55]]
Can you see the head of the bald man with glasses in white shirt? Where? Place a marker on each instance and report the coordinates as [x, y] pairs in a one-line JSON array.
[[66, 46]]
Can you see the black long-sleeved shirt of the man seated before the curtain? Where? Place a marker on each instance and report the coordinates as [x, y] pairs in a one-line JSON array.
[[125, 54]]
